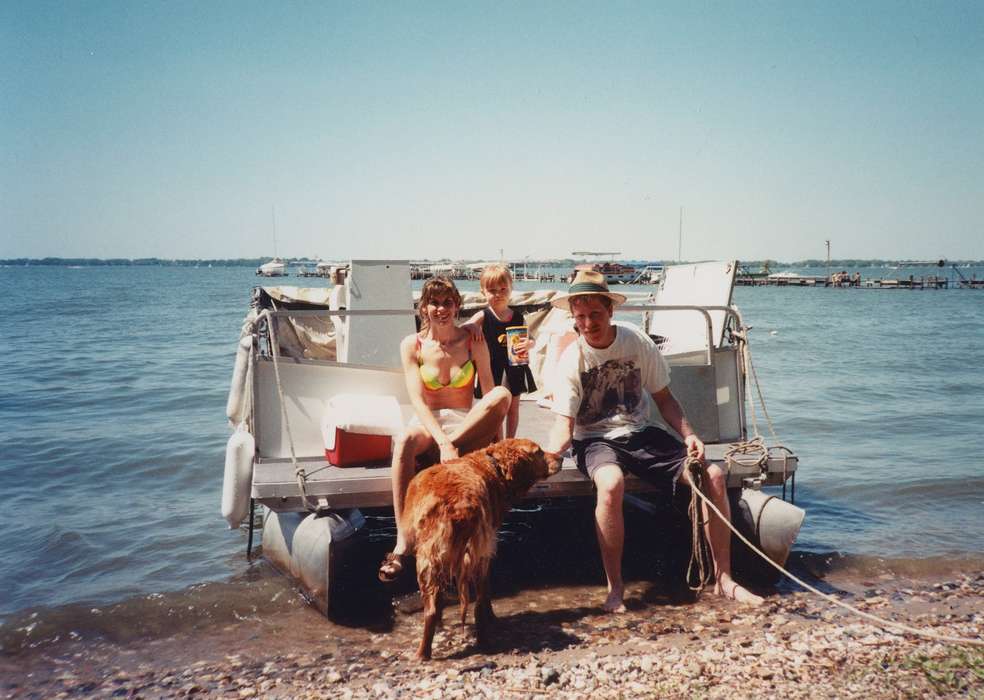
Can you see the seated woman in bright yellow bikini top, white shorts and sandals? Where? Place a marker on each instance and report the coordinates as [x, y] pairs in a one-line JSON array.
[[440, 364]]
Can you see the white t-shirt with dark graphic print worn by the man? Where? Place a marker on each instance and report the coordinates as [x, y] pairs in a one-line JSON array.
[[608, 391]]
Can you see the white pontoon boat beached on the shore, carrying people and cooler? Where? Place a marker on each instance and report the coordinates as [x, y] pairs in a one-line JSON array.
[[317, 392]]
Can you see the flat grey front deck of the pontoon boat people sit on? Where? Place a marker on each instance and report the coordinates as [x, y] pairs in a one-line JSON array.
[[275, 485]]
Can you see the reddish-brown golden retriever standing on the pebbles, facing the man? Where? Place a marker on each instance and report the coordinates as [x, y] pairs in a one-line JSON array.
[[451, 515]]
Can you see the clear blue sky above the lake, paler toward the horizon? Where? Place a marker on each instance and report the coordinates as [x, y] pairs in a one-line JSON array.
[[405, 130]]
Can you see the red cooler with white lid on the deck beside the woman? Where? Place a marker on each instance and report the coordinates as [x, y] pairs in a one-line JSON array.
[[359, 428]]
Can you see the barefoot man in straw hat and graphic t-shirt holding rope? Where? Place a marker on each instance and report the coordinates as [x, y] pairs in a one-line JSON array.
[[607, 383]]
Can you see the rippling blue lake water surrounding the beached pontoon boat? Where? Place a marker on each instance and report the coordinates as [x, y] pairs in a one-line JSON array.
[[114, 388]]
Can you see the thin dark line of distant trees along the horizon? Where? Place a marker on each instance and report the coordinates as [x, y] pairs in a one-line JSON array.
[[844, 263]]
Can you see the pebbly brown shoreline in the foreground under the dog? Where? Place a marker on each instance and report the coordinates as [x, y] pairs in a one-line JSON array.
[[794, 646]]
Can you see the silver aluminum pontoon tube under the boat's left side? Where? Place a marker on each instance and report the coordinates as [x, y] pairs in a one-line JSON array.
[[306, 547]]
